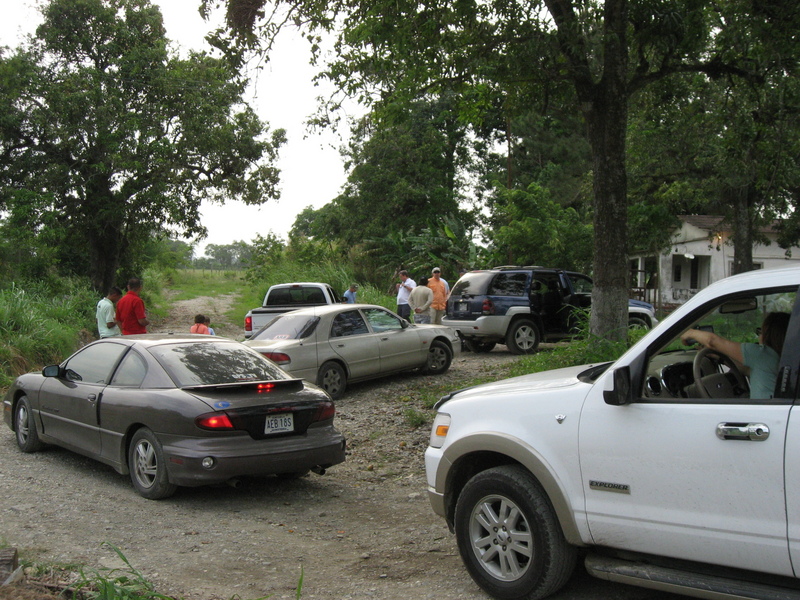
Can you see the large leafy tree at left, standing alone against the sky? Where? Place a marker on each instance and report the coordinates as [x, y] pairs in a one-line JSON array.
[[118, 140]]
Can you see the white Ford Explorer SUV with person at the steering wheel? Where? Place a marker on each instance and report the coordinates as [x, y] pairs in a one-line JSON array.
[[659, 467]]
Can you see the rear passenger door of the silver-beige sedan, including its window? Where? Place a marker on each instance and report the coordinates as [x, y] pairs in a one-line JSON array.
[[351, 339]]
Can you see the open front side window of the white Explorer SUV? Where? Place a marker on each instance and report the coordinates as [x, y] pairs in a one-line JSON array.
[[681, 373]]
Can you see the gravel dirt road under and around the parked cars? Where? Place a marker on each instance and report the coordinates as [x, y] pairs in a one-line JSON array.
[[364, 530]]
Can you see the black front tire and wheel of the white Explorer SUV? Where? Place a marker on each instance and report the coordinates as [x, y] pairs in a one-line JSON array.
[[509, 537]]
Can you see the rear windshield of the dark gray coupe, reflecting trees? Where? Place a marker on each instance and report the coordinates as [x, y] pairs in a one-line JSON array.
[[213, 363]]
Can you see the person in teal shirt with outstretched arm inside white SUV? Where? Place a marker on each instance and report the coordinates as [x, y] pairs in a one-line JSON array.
[[760, 361]]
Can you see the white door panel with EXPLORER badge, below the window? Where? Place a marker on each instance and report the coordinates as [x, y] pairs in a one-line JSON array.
[[689, 493]]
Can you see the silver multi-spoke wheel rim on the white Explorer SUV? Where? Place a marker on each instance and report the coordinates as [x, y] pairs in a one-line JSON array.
[[500, 538]]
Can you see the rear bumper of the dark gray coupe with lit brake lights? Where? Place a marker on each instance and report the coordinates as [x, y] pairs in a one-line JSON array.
[[241, 456]]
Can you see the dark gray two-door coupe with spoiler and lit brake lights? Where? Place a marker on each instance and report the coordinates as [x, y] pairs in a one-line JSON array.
[[176, 410]]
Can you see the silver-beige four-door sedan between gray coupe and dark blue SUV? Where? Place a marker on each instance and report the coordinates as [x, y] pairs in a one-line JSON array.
[[332, 345]]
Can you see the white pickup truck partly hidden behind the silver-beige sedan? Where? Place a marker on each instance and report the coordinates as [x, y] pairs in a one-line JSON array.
[[286, 297]]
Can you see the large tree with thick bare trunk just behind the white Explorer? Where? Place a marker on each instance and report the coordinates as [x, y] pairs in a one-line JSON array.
[[512, 51]]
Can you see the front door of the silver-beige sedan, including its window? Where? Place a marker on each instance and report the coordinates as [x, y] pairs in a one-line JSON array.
[[400, 348]]
